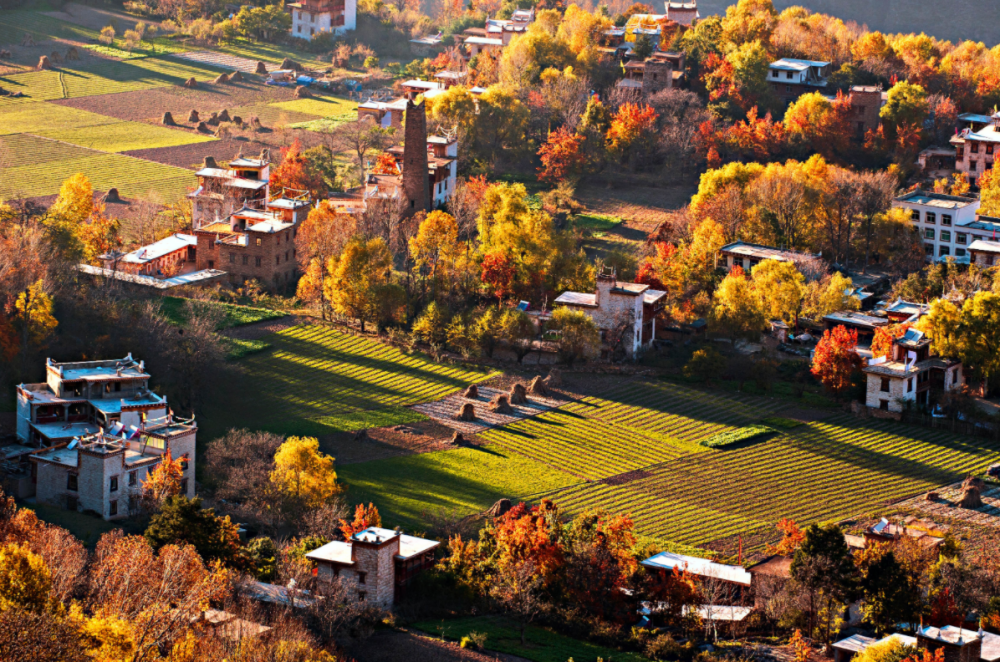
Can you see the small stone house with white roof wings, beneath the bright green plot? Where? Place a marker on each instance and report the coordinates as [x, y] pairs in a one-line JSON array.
[[375, 564]]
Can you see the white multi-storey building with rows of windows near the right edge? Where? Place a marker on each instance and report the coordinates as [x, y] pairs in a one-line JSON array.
[[947, 223]]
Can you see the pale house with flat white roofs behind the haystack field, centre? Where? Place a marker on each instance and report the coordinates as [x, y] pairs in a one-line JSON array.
[[624, 312]]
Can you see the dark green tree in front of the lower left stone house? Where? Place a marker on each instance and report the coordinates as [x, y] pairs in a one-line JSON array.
[[183, 520]]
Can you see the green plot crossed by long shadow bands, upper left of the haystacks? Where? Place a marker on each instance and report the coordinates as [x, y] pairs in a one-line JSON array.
[[317, 380]]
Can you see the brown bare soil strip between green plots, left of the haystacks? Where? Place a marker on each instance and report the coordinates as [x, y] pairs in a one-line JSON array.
[[396, 441]]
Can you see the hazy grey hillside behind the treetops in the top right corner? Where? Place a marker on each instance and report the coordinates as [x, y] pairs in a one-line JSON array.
[[947, 20]]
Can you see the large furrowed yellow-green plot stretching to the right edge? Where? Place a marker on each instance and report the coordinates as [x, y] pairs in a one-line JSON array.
[[821, 471]]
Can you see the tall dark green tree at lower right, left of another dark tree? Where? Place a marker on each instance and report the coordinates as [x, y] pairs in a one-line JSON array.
[[823, 566]]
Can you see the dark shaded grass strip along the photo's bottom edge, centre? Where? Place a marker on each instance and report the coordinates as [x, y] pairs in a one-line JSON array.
[[543, 645]]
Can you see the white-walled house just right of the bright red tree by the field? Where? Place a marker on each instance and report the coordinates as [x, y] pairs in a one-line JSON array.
[[909, 374]]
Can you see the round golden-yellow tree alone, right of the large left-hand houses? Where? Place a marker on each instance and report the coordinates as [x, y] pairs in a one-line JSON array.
[[303, 473]]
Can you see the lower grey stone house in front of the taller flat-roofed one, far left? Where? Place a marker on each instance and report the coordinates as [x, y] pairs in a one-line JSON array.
[[104, 473]]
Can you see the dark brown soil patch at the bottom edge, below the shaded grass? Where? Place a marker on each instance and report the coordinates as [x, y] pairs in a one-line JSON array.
[[394, 646]]
